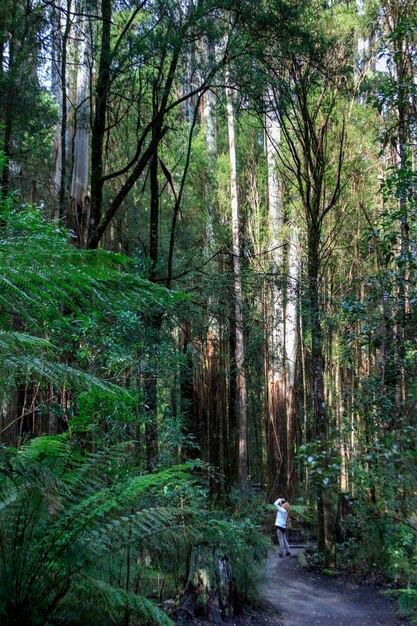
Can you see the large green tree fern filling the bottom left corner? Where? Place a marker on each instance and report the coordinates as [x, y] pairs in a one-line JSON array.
[[57, 529]]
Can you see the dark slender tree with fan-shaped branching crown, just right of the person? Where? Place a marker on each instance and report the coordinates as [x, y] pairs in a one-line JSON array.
[[312, 117]]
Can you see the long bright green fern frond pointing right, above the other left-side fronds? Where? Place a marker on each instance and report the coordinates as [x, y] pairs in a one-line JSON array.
[[40, 272]]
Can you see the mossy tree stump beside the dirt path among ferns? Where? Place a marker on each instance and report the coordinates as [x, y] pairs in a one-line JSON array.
[[210, 592]]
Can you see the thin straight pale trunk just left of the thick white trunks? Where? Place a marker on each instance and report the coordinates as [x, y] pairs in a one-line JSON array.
[[238, 296]]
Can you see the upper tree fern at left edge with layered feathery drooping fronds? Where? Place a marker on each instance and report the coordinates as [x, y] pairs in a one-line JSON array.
[[45, 285]]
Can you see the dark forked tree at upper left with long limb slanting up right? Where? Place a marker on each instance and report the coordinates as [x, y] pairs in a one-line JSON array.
[[159, 58]]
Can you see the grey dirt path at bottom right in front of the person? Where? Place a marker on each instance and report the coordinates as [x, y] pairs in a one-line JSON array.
[[309, 599]]
